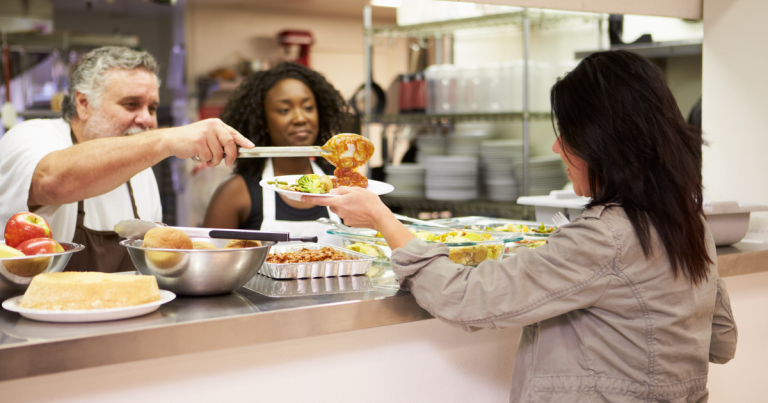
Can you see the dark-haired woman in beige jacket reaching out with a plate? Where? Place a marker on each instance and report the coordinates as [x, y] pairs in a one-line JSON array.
[[624, 304]]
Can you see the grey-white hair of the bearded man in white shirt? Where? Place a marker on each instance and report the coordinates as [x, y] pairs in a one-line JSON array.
[[90, 74]]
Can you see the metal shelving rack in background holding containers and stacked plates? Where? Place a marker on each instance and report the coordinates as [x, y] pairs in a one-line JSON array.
[[525, 19]]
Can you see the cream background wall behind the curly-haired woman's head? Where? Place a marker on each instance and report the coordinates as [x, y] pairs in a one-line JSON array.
[[216, 37]]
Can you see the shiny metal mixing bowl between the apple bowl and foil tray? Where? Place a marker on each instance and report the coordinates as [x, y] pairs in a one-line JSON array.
[[198, 271]]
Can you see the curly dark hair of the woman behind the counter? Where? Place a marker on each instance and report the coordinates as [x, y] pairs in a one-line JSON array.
[[245, 109]]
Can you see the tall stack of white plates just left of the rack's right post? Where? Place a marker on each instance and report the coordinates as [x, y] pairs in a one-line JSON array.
[[497, 160]]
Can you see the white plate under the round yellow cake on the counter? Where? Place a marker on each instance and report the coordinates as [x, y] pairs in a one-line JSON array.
[[87, 315]]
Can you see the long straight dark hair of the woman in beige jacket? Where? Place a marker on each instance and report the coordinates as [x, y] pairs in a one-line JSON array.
[[615, 112]]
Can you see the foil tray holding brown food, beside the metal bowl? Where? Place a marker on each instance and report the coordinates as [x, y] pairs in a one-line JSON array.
[[356, 265]]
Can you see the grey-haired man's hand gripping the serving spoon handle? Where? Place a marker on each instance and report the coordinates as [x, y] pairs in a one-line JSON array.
[[211, 140]]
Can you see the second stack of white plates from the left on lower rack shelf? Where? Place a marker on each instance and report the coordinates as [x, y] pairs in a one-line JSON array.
[[452, 178]]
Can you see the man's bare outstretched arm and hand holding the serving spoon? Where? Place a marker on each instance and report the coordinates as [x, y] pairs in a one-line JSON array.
[[98, 166]]
